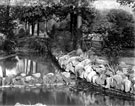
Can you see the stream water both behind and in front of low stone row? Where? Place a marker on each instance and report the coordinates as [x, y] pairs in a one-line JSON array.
[[55, 96]]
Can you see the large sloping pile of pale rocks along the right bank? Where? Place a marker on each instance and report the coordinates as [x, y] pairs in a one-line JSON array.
[[97, 71]]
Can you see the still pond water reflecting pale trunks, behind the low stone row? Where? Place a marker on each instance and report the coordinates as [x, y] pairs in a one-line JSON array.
[[15, 65]]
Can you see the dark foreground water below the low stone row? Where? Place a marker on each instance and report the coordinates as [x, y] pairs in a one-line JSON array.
[[55, 97]]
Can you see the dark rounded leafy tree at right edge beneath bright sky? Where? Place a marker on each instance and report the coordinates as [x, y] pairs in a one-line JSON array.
[[122, 29]]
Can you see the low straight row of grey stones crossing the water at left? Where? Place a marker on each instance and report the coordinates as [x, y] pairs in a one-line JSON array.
[[36, 79]]
